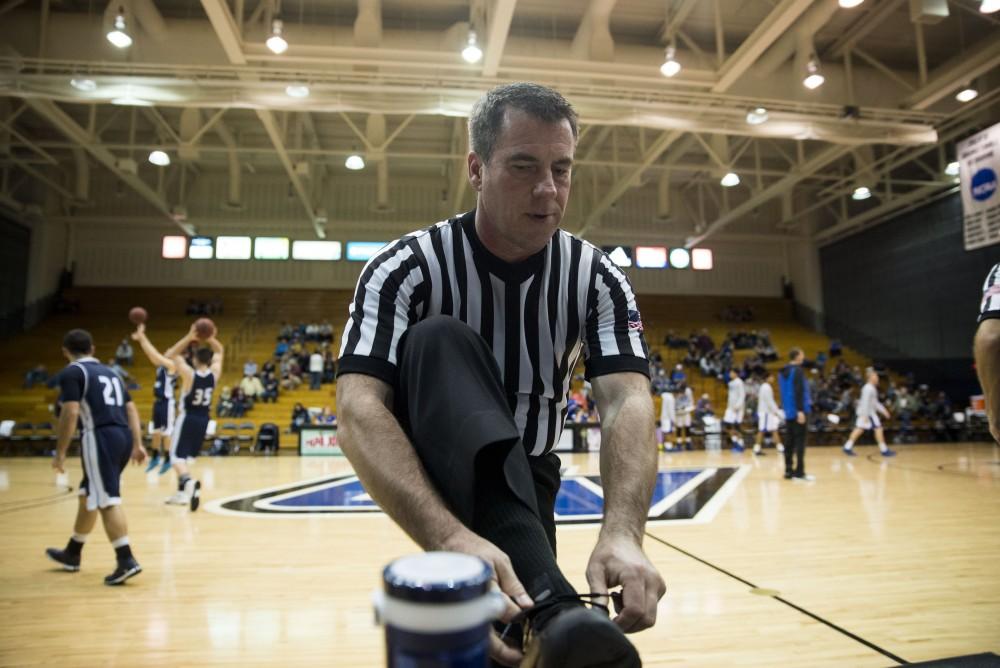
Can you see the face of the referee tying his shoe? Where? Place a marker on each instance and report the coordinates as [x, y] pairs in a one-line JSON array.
[[524, 188]]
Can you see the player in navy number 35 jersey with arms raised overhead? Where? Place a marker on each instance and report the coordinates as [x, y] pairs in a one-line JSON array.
[[197, 388]]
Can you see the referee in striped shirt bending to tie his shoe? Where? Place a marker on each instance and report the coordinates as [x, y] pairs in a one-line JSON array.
[[453, 379]]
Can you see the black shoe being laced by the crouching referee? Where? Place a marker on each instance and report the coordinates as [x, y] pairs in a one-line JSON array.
[[560, 632]]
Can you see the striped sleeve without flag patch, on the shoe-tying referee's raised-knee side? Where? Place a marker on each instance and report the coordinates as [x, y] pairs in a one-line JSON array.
[[384, 306]]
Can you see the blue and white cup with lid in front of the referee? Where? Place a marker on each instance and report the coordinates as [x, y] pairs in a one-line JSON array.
[[437, 608]]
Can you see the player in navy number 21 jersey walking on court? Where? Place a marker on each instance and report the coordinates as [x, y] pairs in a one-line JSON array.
[[110, 435]]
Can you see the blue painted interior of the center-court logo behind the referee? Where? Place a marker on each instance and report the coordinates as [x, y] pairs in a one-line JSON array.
[[578, 495]]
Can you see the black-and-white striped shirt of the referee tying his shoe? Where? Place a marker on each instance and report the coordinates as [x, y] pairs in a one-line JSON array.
[[537, 315]]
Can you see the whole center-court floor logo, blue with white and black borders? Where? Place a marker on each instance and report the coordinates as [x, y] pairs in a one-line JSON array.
[[680, 495]]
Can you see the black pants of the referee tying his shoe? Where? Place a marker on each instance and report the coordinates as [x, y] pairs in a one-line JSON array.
[[450, 401]]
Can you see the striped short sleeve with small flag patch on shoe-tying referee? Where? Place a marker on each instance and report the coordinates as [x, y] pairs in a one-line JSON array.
[[613, 335]]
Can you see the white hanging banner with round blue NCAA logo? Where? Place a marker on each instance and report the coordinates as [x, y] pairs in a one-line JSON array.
[[979, 164]]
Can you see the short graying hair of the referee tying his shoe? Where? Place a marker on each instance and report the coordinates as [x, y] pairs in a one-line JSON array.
[[486, 119]]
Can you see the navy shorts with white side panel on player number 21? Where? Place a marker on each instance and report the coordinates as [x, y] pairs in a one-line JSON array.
[[105, 452]]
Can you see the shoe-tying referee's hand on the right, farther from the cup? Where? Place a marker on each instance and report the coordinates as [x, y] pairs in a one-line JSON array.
[[620, 561]]
